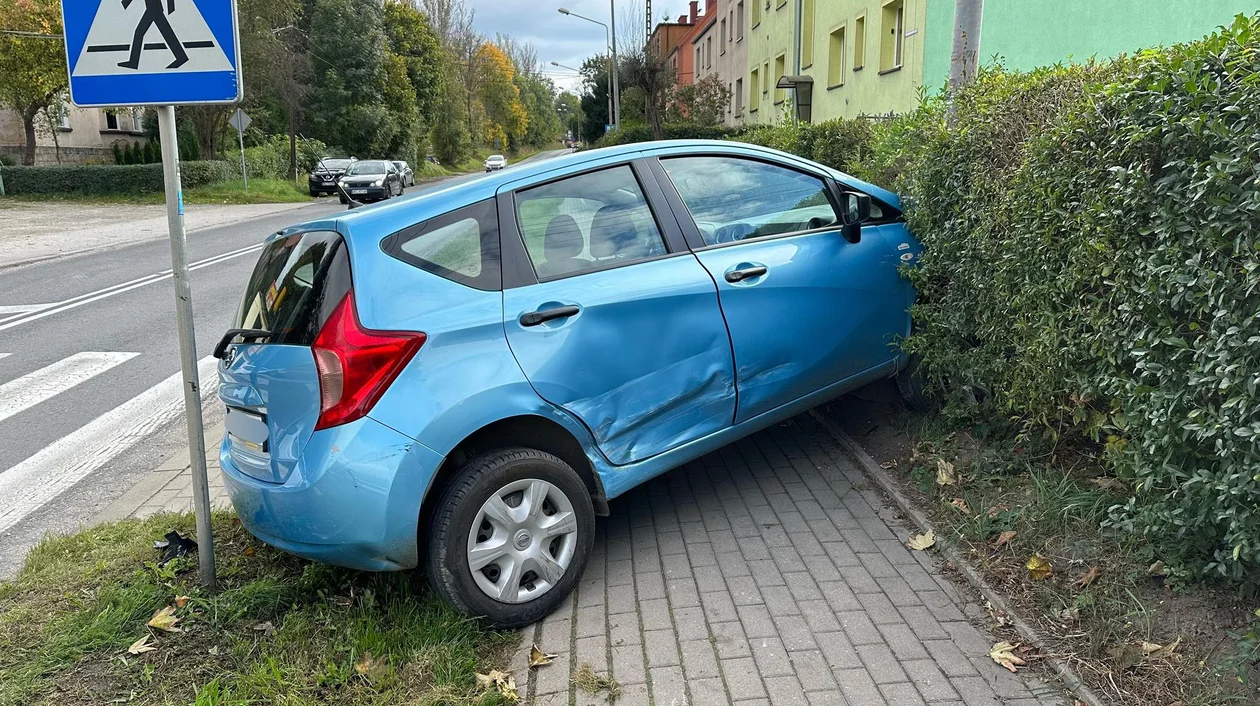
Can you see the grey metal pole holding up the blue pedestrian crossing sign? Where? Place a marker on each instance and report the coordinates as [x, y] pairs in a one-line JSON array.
[[187, 342]]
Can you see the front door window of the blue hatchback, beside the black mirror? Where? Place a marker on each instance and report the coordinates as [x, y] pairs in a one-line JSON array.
[[734, 200]]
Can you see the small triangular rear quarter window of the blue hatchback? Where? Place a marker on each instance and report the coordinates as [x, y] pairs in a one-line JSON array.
[[462, 246]]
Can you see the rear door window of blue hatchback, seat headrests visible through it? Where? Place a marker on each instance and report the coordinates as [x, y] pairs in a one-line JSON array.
[[587, 223]]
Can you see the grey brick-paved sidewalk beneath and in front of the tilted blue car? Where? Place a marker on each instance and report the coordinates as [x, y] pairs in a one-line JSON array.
[[768, 573]]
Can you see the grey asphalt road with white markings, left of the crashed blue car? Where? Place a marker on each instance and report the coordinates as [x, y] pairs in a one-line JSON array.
[[90, 399]]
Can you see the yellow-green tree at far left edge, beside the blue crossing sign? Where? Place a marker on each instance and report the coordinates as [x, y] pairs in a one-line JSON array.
[[32, 69]]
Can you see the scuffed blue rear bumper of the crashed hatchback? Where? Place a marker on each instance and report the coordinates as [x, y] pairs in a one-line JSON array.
[[352, 501]]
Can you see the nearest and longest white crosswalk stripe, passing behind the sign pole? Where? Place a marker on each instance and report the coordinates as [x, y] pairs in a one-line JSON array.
[[43, 477]]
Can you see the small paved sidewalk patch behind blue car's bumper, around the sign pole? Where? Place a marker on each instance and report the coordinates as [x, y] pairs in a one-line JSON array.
[[169, 487]]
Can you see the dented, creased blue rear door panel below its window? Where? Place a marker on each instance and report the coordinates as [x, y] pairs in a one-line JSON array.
[[646, 364]]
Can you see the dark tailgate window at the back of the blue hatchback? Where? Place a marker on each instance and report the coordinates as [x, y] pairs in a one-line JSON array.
[[295, 286]]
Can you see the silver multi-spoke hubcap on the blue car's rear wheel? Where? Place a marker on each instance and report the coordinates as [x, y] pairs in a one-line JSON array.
[[522, 541]]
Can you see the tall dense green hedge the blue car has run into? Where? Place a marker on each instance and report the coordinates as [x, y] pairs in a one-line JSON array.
[[1093, 275]]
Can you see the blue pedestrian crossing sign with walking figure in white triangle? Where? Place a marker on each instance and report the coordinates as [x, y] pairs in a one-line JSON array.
[[152, 52]]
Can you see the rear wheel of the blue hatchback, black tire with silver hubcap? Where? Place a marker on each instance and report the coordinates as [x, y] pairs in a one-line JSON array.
[[527, 476]]
